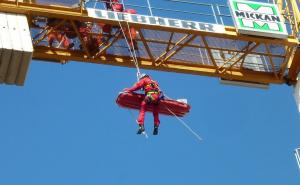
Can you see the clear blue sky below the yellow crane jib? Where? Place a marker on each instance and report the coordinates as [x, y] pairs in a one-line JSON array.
[[64, 128]]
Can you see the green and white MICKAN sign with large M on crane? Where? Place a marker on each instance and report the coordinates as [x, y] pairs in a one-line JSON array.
[[255, 18]]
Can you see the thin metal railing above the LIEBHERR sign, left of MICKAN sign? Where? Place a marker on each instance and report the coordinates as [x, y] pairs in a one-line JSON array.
[[178, 9]]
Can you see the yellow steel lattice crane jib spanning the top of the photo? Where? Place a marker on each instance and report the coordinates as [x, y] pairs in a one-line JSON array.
[[211, 49]]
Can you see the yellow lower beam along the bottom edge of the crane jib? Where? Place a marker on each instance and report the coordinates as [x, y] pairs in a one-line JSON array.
[[61, 56]]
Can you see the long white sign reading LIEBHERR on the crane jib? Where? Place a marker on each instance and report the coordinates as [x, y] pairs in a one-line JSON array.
[[157, 21]]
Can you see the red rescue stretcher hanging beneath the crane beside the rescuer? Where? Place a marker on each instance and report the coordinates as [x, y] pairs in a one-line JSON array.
[[166, 106]]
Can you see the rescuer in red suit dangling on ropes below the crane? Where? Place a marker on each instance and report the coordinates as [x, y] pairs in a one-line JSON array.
[[152, 96]]
